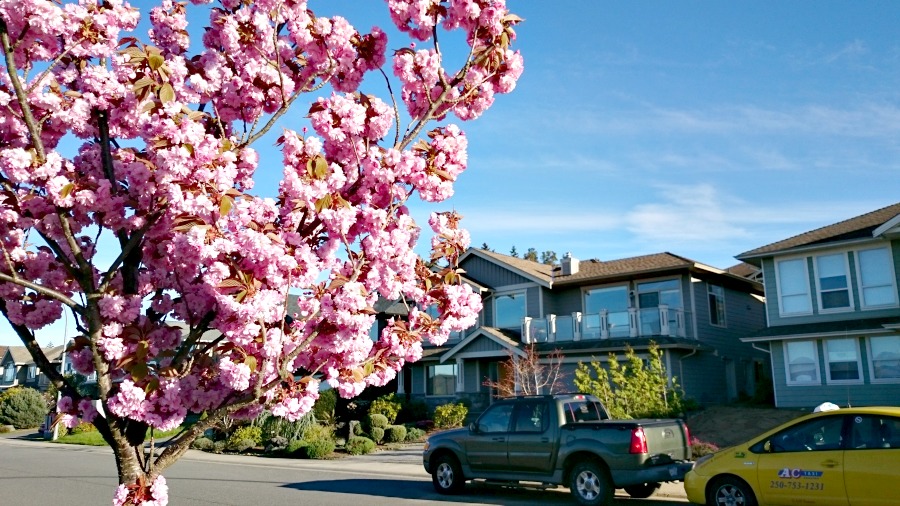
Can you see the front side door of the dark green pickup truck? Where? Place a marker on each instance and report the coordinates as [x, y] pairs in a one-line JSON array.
[[486, 445]]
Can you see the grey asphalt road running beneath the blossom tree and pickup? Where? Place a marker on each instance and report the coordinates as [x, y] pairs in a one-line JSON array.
[[39, 473]]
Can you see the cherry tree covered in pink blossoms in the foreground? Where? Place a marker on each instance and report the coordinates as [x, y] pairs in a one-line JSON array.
[[162, 174]]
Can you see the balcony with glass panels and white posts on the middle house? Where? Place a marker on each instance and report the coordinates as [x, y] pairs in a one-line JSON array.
[[652, 322]]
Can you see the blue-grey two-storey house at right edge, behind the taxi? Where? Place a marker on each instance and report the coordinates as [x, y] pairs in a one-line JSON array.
[[833, 312]]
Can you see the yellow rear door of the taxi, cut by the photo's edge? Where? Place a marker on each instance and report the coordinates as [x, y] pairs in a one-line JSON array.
[[872, 461]]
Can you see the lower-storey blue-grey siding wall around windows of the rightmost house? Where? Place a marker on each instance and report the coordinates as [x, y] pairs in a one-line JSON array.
[[809, 396]]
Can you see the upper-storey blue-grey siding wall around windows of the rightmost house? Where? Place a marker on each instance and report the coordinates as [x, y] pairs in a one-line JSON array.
[[772, 302]]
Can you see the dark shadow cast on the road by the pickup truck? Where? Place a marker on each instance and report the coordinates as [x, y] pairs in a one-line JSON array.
[[474, 493]]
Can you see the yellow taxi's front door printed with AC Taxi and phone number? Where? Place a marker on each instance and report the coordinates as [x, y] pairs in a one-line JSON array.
[[804, 464]]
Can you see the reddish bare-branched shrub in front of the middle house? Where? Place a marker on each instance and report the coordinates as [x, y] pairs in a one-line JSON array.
[[530, 375]]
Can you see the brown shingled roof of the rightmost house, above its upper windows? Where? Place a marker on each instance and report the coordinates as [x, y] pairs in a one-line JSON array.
[[859, 227]]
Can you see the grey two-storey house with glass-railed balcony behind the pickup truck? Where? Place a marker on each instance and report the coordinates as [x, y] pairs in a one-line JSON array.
[[695, 313]]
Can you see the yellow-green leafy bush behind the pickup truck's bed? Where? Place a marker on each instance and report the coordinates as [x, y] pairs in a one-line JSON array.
[[635, 389]]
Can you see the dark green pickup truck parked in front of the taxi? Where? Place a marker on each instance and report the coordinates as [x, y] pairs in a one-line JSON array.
[[560, 440]]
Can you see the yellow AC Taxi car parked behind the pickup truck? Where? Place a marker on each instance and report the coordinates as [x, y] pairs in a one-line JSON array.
[[846, 457]]
